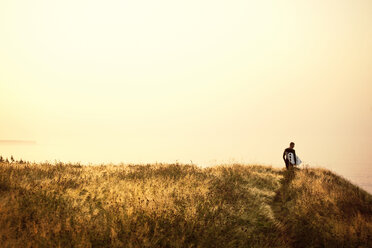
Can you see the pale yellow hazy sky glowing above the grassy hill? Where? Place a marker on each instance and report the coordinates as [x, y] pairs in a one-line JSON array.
[[207, 81]]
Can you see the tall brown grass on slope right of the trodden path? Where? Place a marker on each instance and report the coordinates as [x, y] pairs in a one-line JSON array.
[[325, 210]]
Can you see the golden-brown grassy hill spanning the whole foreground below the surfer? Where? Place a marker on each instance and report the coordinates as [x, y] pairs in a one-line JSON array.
[[173, 205]]
